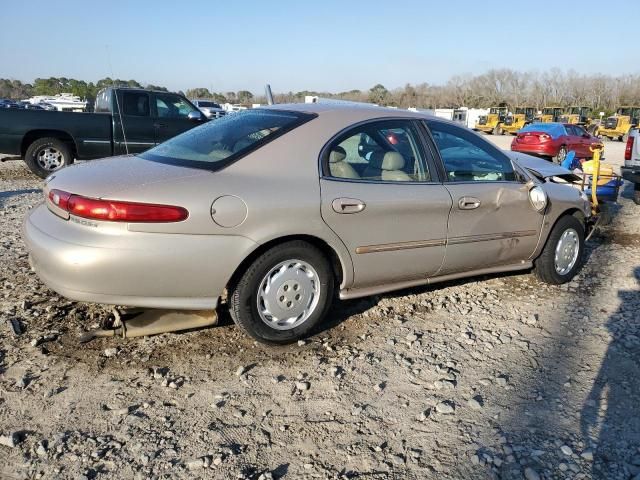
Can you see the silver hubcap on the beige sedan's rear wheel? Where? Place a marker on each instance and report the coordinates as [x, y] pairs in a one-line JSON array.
[[288, 294]]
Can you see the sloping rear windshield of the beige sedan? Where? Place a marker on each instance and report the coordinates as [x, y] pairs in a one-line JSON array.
[[217, 144]]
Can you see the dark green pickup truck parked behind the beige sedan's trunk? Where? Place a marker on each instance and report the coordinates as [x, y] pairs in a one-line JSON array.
[[125, 120]]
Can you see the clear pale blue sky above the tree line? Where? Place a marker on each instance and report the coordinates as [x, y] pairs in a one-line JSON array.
[[329, 45]]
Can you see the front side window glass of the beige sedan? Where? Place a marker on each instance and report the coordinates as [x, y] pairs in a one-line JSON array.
[[469, 158]]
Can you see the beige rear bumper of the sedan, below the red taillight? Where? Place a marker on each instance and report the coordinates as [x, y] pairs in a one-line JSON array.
[[152, 270]]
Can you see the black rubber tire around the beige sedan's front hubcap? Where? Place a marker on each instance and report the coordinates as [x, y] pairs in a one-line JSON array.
[[544, 265]]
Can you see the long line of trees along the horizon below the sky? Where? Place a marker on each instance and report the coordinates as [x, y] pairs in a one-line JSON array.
[[494, 87]]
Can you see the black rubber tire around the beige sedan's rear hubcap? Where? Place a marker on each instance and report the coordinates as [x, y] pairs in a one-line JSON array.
[[243, 296]]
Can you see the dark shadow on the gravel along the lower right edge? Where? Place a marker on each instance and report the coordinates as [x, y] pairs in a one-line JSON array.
[[610, 416]]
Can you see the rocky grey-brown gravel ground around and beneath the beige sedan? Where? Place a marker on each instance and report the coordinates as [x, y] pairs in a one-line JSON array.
[[492, 377]]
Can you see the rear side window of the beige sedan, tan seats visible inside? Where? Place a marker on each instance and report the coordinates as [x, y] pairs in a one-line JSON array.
[[383, 151]]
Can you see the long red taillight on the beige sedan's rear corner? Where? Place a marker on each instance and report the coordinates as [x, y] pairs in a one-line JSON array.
[[116, 211]]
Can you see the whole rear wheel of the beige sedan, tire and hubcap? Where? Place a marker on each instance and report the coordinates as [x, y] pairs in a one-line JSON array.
[[284, 294]]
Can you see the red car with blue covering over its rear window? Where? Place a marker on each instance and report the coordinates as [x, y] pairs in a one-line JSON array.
[[554, 140]]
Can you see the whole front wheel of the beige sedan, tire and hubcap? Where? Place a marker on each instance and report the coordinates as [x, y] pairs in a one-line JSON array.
[[561, 257]]
